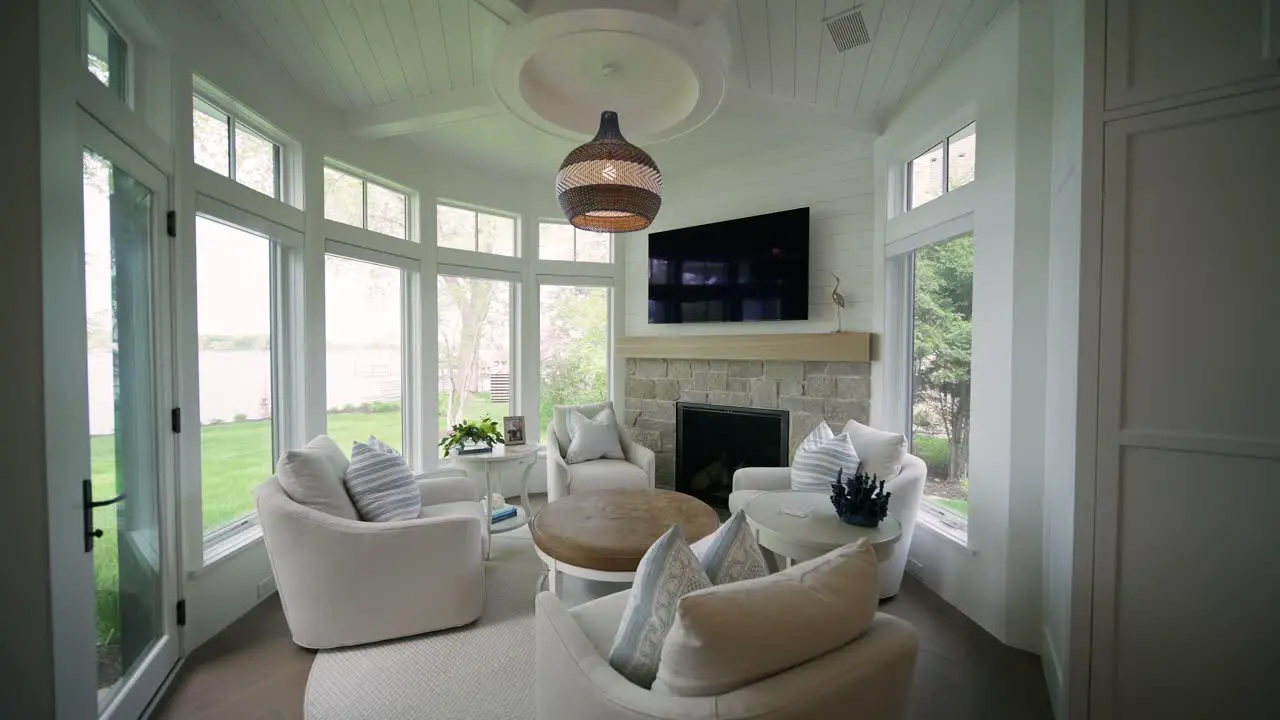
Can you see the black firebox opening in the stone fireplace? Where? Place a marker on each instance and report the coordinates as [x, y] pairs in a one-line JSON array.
[[715, 441]]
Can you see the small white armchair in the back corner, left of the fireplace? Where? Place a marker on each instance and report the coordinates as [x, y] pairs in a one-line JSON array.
[[563, 479]]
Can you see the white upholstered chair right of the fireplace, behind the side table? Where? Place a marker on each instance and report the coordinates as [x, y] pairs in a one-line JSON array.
[[907, 486]]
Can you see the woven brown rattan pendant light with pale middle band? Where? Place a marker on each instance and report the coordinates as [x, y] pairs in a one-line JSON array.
[[610, 185]]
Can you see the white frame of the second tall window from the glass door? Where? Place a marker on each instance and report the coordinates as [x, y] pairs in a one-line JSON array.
[[413, 446]]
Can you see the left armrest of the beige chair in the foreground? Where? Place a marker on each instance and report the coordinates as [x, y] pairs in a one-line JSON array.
[[574, 681]]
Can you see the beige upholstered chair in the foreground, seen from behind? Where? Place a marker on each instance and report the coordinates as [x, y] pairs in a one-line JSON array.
[[868, 680]]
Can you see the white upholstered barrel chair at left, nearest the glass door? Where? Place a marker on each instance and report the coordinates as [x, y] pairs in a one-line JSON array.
[[349, 582]]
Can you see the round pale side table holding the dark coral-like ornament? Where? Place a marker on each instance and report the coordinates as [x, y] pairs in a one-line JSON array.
[[821, 532]]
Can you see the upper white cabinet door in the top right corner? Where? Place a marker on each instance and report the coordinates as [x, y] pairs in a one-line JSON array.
[[1160, 49]]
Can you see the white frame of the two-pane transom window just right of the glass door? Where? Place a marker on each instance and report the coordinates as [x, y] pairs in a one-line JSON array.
[[284, 149]]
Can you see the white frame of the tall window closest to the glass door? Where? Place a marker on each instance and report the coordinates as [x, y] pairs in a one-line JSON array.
[[286, 259]]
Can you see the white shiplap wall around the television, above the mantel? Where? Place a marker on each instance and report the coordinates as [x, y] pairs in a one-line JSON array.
[[835, 183]]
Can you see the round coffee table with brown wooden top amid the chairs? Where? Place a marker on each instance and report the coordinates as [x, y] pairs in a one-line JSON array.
[[604, 535]]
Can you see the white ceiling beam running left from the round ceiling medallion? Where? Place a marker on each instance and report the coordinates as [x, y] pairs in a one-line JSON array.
[[424, 113]]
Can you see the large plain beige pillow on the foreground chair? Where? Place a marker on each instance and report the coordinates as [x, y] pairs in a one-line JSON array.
[[732, 636]]
